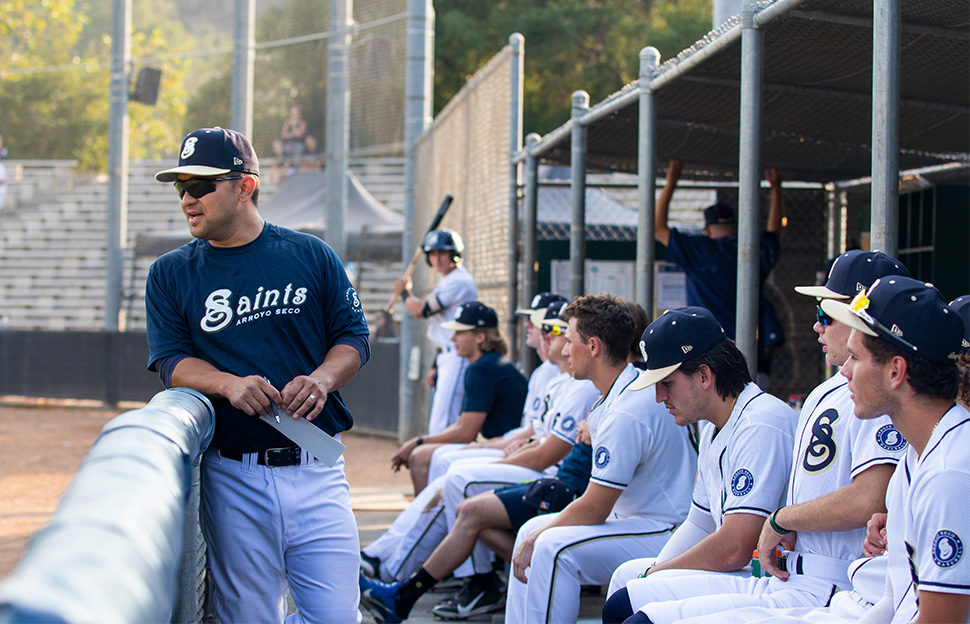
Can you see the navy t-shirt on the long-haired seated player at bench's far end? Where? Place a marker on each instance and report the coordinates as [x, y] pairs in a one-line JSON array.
[[494, 386]]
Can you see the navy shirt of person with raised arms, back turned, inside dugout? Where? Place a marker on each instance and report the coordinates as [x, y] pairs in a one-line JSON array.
[[711, 265]]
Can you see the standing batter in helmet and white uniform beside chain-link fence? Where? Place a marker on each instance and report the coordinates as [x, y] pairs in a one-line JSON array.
[[442, 251]]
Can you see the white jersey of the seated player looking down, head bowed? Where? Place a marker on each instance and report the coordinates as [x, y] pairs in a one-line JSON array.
[[742, 468]]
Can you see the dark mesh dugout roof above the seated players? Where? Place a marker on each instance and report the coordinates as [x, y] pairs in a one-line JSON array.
[[817, 96]]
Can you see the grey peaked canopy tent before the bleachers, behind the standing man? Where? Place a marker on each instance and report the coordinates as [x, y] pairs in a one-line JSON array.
[[300, 204]]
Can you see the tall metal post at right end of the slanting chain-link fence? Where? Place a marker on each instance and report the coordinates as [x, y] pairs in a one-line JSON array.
[[517, 46]]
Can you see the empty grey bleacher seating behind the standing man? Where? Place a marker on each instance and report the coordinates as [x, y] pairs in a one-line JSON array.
[[53, 241]]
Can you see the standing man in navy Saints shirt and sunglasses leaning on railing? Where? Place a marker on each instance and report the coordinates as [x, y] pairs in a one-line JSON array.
[[262, 320]]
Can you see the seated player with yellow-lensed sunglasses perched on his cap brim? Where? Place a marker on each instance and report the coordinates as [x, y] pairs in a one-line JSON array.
[[902, 350]]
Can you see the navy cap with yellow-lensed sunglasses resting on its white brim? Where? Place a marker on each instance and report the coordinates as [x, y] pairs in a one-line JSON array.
[[905, 312]]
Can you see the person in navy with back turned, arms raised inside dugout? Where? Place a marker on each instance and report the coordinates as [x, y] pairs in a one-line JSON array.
[[710, 260]]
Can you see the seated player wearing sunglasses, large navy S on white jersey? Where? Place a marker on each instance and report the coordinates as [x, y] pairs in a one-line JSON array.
[[840, 469]]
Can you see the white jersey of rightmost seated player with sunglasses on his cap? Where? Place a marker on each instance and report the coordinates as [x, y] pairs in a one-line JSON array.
[[927, 503]]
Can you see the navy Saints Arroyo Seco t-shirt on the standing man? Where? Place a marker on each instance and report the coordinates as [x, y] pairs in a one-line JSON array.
[[273, 307]]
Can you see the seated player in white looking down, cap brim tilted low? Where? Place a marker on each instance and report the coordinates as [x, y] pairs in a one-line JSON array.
[[743, 460]]
